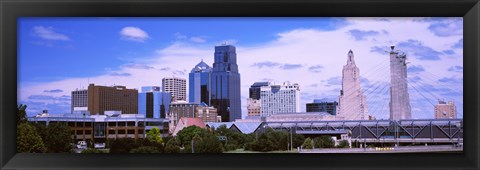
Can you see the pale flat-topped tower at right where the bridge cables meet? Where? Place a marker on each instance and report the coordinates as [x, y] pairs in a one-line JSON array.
[[399, 97]]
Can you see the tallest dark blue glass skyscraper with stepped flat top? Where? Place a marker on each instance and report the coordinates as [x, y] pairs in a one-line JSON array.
[[226, 83]]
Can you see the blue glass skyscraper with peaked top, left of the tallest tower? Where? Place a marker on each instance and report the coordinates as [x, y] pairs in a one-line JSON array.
[[199, 83]]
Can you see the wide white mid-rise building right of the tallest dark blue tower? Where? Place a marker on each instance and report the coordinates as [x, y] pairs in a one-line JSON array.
[[283, 98]]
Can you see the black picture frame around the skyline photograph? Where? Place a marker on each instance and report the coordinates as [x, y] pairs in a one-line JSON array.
[[10, 10]]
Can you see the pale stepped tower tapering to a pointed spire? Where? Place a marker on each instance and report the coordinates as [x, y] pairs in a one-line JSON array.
[[352, 102]]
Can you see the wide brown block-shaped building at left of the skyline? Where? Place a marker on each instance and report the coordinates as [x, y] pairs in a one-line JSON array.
[[102, 98]]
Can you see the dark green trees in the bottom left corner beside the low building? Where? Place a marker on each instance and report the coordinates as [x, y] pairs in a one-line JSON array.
[[39, 138]]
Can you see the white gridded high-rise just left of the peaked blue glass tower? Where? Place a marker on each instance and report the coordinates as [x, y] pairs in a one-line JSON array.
[[176, 86]]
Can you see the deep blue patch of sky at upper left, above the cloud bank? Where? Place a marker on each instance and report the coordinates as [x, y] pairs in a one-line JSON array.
[[84, 36]]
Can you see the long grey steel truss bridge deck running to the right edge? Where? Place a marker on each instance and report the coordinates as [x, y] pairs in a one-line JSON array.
[[438, 131]]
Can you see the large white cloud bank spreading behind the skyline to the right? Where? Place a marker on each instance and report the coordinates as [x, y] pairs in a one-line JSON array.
[[308, 48]]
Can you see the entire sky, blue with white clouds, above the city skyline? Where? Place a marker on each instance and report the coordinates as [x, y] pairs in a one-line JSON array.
[[58, 55]]
